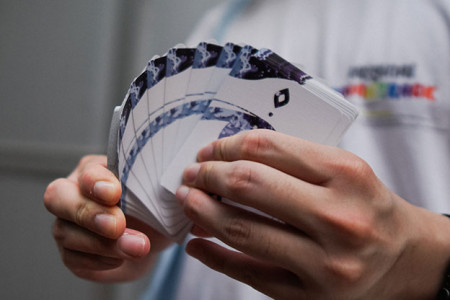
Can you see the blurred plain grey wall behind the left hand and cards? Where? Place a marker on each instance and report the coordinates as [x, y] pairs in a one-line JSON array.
[[64, 65]]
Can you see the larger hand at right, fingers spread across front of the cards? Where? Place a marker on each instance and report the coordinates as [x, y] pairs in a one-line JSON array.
[[337, 231]]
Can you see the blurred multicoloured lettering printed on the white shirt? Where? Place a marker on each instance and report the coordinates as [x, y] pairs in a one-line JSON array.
[[391, 94]]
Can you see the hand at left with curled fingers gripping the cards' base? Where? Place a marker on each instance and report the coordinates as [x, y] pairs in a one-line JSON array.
[[91, 230]]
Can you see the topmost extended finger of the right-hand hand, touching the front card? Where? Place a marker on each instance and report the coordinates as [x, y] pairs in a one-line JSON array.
[[294, 156]]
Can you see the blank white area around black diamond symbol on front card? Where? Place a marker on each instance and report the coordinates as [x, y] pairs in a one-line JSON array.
[[291, 118]]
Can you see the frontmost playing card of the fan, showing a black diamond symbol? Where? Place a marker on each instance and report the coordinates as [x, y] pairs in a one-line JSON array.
[[268, 90]]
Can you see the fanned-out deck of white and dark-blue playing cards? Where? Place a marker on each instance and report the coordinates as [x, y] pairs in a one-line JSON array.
[[192, 96]]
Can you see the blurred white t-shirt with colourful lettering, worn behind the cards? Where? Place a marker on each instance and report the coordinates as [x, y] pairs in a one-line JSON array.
[[389, 57]]
